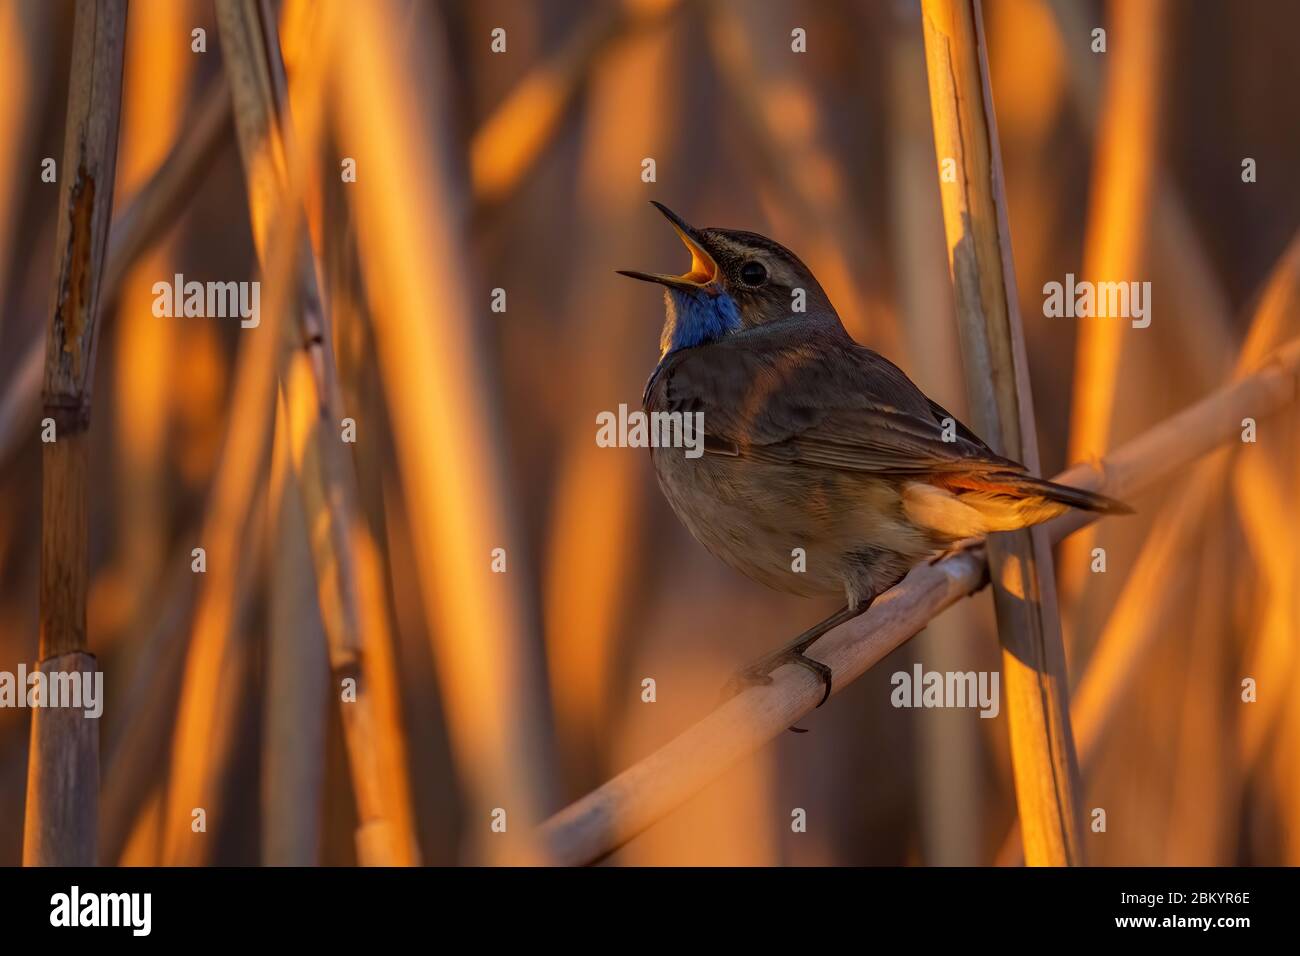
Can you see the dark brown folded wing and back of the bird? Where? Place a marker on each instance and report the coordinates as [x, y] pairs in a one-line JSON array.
[[786, 397]]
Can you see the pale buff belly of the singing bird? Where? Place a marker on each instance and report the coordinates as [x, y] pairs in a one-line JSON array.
[[794, 529]]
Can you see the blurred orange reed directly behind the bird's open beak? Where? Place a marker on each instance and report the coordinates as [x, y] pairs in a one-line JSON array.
[[596, 529]]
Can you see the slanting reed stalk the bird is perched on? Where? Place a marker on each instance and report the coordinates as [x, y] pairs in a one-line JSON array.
[[648, 791]]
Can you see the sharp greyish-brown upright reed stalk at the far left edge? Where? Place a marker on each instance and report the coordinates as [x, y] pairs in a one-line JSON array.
[[63, 764]]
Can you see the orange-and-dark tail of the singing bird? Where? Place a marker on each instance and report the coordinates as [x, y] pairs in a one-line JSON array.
[[974, 504]]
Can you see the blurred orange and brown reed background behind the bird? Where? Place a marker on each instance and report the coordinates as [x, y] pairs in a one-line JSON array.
[[521, 168]]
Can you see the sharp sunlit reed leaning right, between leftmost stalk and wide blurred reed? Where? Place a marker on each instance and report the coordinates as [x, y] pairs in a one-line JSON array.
[[322, 465]]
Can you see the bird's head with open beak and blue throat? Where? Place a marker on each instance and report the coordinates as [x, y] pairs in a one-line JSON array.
[[736, 282]]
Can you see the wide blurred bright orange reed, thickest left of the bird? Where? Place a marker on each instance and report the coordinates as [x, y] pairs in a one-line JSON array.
[[445, 426]]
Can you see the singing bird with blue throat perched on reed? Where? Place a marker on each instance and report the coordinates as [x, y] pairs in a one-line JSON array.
[[813, 442]]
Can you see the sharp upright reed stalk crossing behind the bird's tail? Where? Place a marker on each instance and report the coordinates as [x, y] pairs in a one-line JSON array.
[[1034, 668]]
